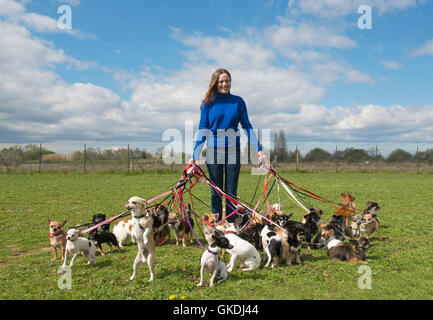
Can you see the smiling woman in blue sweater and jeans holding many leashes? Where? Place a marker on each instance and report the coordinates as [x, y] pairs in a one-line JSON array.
[[221, 112]]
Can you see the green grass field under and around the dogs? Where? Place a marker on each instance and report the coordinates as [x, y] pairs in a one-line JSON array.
[[401, 263]]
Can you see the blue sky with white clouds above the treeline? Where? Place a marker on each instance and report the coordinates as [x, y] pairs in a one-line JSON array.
[[131, 72]]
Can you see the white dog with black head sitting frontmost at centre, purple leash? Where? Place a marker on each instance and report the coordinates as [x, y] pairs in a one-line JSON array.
[[210, 261]]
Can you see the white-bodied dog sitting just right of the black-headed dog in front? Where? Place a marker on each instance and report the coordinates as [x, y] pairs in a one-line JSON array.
[[243, 250]]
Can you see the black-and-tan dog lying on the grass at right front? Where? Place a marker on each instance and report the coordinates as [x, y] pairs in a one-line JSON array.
[[353, 252]]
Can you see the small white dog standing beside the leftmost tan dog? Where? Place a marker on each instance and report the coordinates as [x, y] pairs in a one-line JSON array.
[[76, 244]]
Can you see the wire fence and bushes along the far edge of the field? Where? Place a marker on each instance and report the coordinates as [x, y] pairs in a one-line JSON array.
[[92, 160]]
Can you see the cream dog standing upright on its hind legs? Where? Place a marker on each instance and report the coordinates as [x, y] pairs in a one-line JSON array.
[[142, 222]]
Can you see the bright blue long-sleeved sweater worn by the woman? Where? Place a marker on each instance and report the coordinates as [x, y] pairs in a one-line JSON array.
[[216, 120]]
